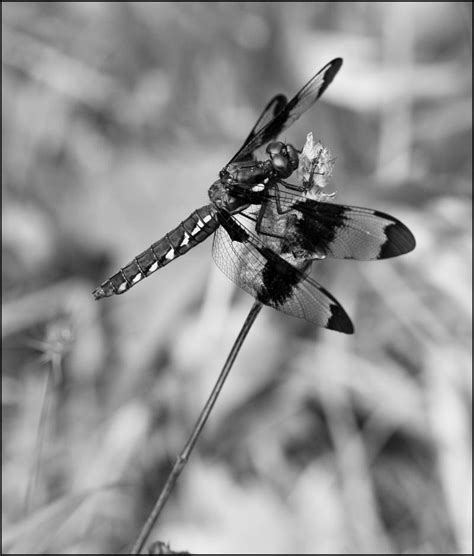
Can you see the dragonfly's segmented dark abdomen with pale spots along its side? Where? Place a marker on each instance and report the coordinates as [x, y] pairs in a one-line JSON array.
[[196, 228]]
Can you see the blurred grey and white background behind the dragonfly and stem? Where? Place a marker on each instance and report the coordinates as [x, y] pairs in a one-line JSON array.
[[116, 119]]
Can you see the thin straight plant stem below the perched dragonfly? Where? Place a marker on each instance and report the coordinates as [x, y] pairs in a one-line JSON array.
[[182, 459]]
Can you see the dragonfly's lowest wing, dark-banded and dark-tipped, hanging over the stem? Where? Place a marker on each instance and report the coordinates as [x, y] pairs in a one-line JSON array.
[[263, 274]]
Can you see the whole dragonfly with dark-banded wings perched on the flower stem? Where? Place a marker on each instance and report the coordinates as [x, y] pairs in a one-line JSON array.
[[272, 264]]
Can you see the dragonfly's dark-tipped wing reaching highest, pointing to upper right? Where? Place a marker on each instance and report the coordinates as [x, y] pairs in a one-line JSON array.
[[303, 100]]
